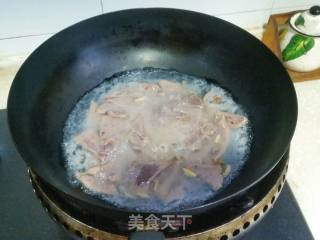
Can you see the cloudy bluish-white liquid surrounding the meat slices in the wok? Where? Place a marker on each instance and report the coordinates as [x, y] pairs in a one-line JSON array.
[[77, 159]]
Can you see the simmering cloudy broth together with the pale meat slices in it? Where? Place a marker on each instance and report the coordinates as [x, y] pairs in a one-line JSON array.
[[134, 140]]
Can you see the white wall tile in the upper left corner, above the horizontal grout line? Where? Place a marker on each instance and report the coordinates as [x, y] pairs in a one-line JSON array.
[[20, 18]]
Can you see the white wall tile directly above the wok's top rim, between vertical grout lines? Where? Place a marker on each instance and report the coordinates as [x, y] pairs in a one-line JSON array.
[[213, 7]]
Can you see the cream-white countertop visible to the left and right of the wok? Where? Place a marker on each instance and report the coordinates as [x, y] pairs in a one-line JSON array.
[[304, 170]]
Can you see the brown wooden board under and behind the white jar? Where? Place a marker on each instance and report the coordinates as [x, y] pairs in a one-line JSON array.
[[270, 38]]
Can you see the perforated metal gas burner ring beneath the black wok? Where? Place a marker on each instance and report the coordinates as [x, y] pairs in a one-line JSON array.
[[230, 230]]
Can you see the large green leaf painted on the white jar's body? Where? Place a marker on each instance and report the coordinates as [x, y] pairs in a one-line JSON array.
[[298, 45]]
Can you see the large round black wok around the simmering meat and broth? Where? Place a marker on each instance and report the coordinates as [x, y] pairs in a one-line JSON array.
[[70, 63]]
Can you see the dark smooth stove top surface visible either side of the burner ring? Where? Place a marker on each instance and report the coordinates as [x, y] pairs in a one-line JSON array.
[[22, 216]]
